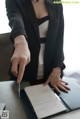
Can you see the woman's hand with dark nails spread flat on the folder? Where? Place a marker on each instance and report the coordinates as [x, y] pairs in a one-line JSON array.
[[57, 83]]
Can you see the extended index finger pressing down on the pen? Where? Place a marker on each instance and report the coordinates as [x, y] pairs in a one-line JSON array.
[[21, 70]]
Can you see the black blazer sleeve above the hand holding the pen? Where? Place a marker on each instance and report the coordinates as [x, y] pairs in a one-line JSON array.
[[15, 19]]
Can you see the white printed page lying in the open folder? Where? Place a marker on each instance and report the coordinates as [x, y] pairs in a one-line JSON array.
[[44, 101]]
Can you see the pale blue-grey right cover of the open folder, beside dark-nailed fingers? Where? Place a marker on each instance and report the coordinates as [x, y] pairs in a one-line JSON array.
[[72, 98]]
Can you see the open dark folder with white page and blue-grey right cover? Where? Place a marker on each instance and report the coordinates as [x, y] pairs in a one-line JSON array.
[[42, 101]]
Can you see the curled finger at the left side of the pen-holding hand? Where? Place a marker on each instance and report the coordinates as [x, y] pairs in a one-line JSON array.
[[14, 68]]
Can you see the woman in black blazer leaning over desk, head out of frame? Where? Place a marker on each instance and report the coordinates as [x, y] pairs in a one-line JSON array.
[[37, 33]]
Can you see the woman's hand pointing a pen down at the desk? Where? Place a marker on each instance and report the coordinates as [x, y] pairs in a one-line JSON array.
[[20, 57]]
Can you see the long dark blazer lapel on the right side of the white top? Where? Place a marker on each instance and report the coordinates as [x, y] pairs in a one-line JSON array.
[[51, 33]]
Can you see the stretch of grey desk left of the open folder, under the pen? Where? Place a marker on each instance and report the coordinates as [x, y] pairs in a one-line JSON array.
[[9, 96]]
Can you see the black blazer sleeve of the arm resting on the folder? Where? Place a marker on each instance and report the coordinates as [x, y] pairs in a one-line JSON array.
[[59, 55]]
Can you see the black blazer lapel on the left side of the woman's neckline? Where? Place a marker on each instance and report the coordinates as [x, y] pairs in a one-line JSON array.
[[27, 5]]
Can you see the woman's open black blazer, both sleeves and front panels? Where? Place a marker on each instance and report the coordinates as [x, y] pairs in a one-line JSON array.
[[22, 20]]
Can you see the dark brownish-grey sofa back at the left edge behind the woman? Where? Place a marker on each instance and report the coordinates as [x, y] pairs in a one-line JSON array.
[[6, 48]]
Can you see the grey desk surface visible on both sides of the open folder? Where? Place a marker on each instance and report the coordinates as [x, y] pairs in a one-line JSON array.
[[9, 96]]
